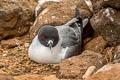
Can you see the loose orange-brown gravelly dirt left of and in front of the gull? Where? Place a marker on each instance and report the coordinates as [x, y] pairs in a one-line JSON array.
[[15, 61]]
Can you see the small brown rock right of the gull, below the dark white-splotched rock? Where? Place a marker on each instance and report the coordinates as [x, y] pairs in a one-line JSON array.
[[97, 44]]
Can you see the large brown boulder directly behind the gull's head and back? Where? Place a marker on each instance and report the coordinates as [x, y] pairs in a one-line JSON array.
[[54, 14]]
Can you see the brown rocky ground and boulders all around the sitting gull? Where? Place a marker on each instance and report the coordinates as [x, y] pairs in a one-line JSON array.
[[99, 59]]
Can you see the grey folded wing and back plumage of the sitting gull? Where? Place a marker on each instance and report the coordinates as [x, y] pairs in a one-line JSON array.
[[71, 33]]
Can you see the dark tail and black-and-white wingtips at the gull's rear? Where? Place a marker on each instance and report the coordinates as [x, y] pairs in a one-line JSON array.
[[77, 24]]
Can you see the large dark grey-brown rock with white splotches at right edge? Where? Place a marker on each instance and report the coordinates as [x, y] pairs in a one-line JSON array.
[[107, 24]]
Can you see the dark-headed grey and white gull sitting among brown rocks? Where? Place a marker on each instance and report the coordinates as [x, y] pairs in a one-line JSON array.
[[53, 44]]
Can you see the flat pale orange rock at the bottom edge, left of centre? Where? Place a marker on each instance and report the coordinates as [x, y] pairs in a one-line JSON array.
[[28, 77]]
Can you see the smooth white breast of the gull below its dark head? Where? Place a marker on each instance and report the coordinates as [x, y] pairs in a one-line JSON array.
[[41, 54]]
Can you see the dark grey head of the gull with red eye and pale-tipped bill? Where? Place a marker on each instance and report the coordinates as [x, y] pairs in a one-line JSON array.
[[48, 36]]
